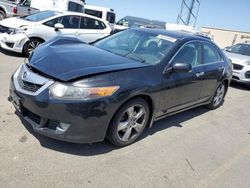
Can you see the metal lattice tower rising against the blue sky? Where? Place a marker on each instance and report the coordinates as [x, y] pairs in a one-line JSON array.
[[189, 12]]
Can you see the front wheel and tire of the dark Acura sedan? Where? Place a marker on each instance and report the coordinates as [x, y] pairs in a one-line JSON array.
[[129, 122]]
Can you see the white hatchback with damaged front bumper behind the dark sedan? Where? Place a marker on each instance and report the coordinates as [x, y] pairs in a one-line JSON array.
[[24, 34]]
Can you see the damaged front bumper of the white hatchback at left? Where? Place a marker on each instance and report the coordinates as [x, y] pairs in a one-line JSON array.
[[13, 43]]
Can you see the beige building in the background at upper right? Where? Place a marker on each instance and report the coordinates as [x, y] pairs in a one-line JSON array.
[[225, 37]]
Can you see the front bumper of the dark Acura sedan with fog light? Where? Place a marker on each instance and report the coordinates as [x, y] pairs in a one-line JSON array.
[[72, 121]]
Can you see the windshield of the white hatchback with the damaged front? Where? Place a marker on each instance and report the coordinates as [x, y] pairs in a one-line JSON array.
[[37, 17]]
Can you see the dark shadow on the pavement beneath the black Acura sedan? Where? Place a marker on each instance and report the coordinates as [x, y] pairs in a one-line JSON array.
[[106, 147]]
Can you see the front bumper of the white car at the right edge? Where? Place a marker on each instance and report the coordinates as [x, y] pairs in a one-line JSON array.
[[241, 74]]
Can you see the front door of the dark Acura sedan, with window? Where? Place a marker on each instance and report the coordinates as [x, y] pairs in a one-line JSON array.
[[181, 90]]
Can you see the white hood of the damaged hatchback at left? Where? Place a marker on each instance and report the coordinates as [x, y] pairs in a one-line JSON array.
[[15, 22]]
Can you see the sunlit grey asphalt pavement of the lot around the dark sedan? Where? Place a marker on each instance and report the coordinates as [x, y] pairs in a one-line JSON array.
[[197, 148]]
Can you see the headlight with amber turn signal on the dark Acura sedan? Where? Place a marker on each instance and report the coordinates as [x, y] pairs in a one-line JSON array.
[[62, 91]]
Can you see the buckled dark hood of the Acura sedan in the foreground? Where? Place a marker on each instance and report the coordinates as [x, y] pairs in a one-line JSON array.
[[67, 58]]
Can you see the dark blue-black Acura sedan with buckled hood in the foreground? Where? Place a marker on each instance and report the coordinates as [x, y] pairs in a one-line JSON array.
[[81, 93]]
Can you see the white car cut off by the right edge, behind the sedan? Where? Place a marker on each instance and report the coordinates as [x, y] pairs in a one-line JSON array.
[[240, 57]]
